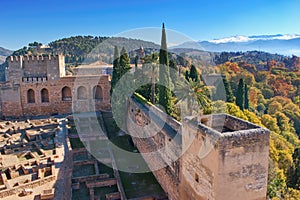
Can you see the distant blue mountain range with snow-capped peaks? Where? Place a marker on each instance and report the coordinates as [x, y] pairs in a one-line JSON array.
[[280, 44]]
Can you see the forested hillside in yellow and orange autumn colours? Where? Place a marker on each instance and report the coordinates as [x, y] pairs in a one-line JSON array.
[[271, 99]]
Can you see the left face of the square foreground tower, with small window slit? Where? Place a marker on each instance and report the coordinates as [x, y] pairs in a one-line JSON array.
[[199, 163]]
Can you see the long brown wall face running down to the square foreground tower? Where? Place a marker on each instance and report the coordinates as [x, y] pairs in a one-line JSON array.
[[168, 177]]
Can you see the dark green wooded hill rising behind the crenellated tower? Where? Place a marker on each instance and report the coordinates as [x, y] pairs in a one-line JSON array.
[[80, 49]]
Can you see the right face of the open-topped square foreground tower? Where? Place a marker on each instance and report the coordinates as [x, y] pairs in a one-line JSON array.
[[243, 170]]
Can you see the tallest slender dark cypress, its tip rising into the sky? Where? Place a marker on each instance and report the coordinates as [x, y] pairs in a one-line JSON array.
[[164, 74]]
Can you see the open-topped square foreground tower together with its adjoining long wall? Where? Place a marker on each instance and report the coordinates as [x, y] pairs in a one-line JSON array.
[[217, 157]]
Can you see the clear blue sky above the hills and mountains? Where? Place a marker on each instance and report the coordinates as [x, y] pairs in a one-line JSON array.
[[44, 21]]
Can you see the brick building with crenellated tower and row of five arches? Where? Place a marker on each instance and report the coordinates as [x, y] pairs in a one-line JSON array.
[[38, 85]]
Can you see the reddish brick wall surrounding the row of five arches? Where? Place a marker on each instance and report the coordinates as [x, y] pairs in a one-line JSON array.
[[56, 105]]
